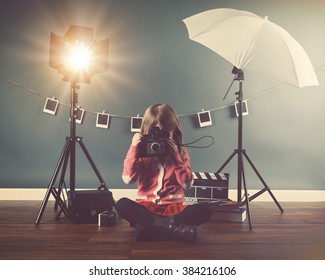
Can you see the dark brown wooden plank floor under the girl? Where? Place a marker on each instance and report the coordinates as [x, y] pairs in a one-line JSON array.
[[298, 233]]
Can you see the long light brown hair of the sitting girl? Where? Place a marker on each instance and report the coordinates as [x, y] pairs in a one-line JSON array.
[[168, 118]]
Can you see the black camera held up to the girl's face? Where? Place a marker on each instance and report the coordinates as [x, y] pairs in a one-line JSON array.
[[154, 143]]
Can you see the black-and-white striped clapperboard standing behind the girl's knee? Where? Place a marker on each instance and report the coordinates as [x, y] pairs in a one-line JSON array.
[[208, 186]]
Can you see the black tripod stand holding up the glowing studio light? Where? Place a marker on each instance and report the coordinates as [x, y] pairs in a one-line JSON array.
[[68, 154]]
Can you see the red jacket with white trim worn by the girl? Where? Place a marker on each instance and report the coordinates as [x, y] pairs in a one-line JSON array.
[[161, 183]]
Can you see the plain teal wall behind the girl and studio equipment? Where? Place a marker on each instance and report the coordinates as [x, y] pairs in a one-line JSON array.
[[152, 60]]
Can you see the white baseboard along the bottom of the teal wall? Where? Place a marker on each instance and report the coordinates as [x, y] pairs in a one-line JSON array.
[[281, 195]]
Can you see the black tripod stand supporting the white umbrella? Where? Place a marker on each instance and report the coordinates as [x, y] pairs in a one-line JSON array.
[[241, 154]]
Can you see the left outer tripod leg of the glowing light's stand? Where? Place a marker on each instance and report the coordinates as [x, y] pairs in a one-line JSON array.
[[51, 189]]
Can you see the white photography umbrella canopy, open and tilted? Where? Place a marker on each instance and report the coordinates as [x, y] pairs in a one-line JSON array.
[[253, 43]]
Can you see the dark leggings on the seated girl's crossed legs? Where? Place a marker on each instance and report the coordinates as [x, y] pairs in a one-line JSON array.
[[133, 212]]
